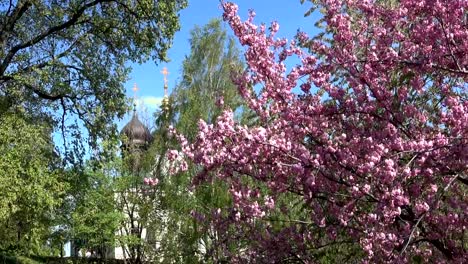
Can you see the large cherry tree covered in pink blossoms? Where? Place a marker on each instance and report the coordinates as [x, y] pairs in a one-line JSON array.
[[374, 144]]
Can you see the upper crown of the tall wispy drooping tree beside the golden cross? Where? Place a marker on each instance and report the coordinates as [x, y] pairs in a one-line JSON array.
[[206, 76]]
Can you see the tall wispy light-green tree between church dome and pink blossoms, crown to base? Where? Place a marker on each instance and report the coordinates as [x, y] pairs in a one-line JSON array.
[[206, 78]]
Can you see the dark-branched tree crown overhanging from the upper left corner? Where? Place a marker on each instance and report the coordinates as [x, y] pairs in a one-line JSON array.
[[71, 57]]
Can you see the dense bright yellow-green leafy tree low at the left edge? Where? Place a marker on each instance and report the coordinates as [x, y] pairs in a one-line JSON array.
[[30, 184]]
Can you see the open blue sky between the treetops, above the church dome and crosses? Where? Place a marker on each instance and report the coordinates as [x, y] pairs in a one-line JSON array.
[[288, 13]]
